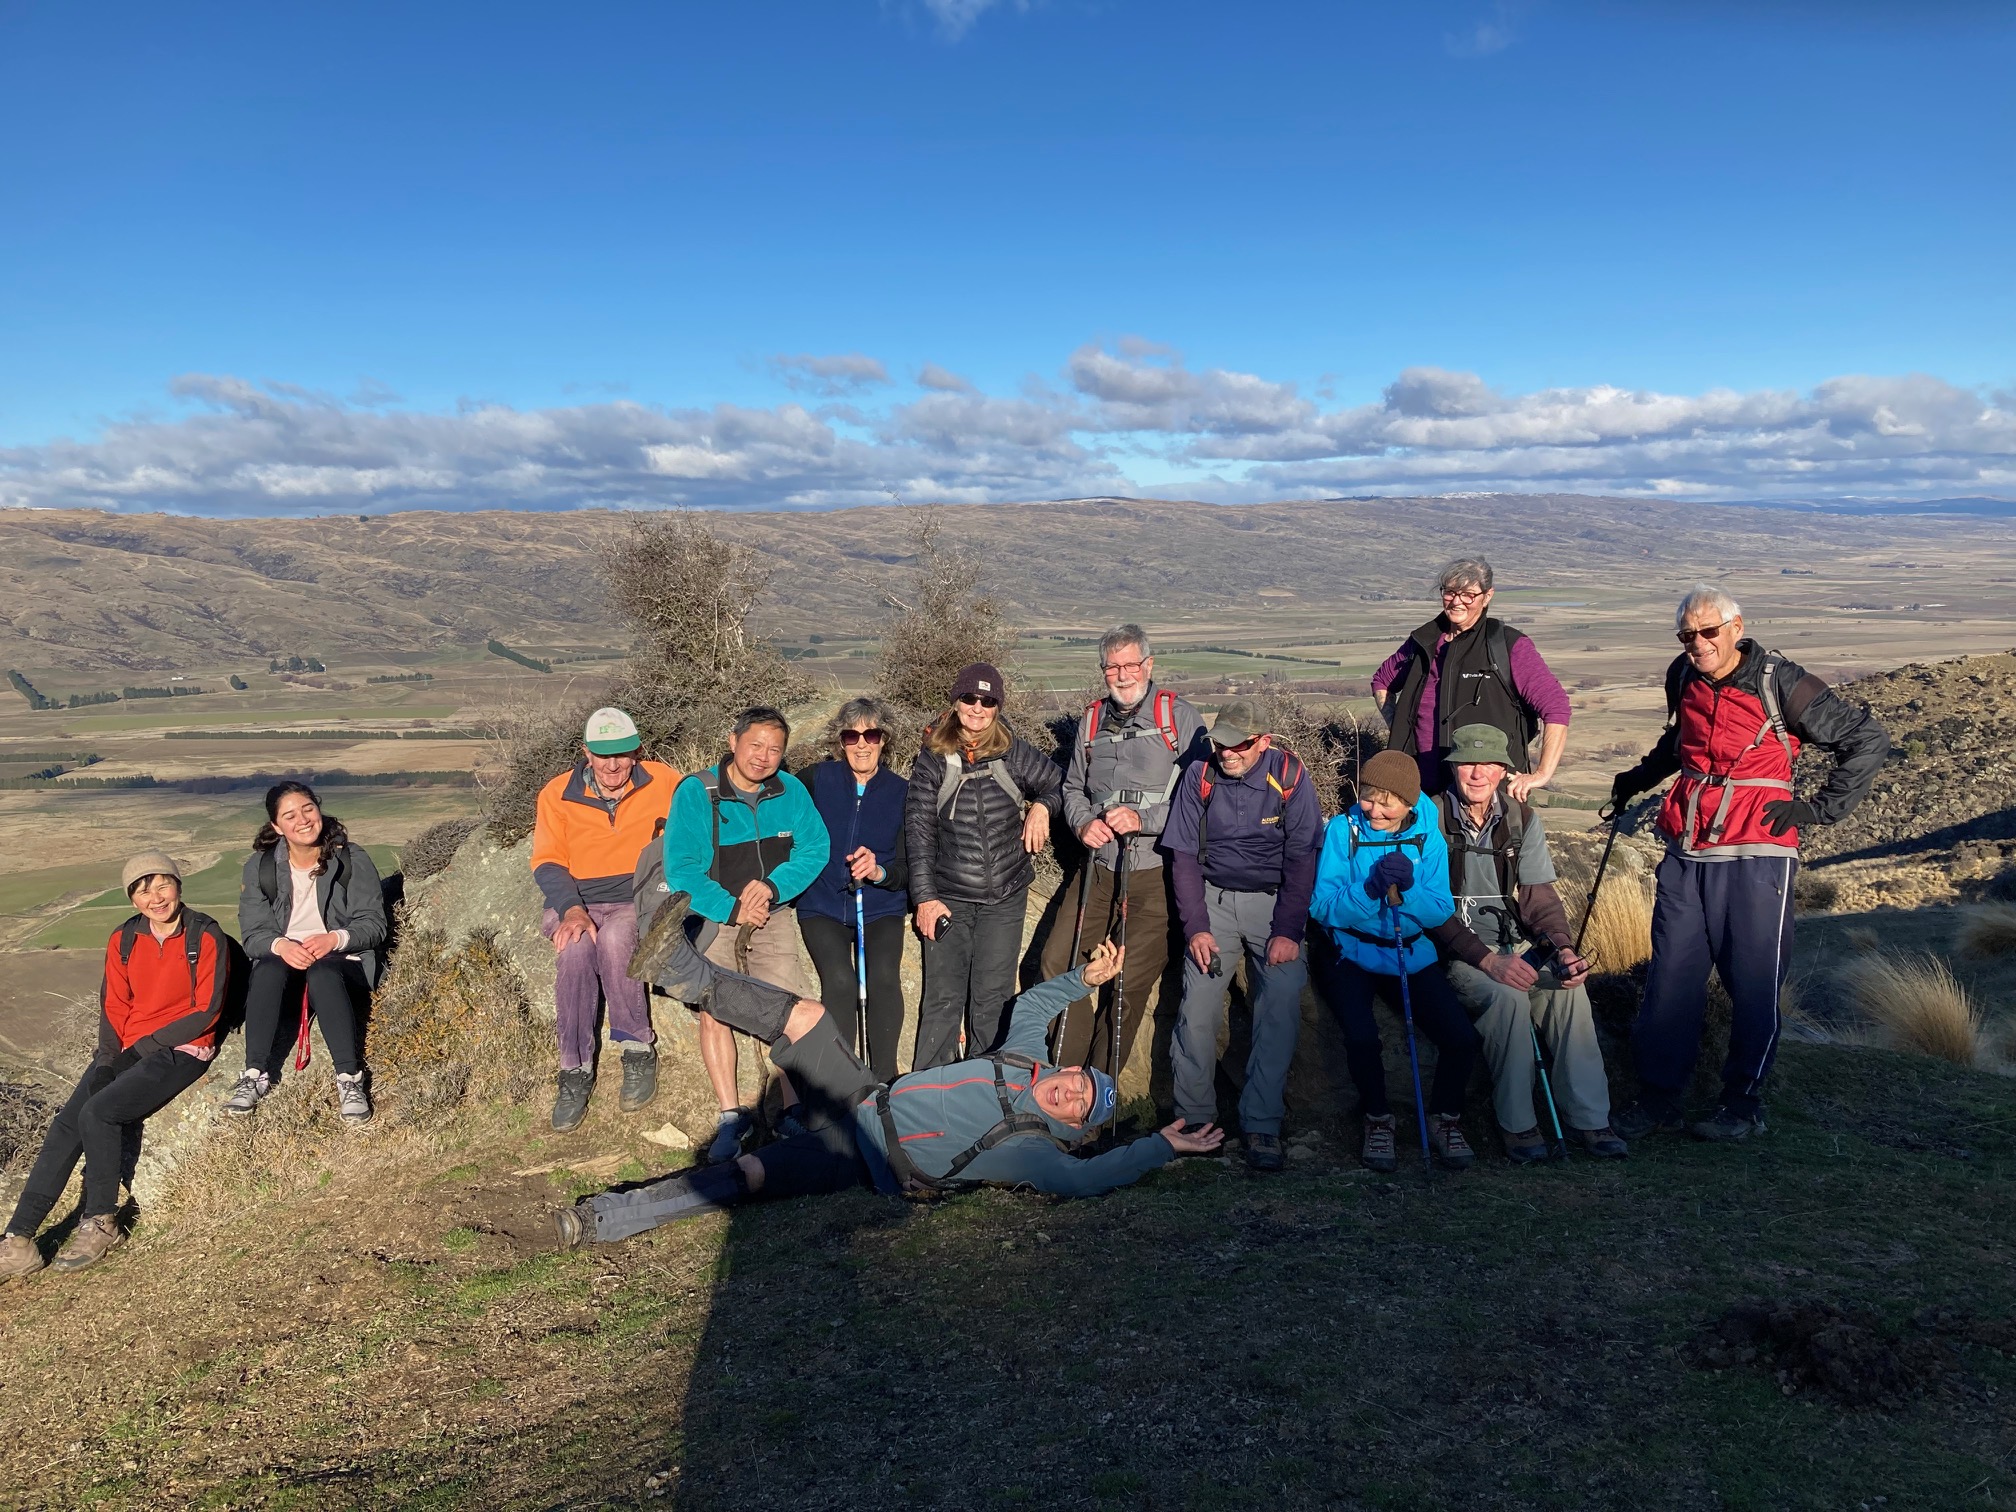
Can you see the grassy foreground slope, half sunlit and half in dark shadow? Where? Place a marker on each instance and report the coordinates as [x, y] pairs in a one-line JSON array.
[[396, 1336]]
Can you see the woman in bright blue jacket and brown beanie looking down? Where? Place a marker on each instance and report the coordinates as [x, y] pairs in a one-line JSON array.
[[1390, 848]]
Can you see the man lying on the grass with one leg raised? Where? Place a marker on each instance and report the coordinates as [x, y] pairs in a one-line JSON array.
[[1003, 1120]]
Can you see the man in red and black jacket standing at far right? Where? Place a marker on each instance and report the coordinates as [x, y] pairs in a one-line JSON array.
[[1737, 721]]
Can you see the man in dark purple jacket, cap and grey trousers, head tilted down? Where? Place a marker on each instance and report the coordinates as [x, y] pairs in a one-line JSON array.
[[1243, 840]]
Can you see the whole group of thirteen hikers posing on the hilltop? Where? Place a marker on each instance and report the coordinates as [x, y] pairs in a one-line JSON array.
[[1432, 892]]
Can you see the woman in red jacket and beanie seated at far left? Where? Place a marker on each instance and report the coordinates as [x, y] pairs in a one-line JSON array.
[[166, 971]]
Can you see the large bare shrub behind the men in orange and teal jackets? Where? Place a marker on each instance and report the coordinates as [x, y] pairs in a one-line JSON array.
[[695, 666]]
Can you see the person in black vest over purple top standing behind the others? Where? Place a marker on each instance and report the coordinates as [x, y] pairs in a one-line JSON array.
[[1469, 668]]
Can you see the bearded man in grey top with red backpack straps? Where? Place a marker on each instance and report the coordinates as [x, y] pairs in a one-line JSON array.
[[1126, 759]]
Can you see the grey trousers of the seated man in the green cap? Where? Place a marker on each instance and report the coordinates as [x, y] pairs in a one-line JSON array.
[[1507, 1021]]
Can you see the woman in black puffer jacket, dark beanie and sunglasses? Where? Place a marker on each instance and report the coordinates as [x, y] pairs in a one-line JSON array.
[[979, 809]]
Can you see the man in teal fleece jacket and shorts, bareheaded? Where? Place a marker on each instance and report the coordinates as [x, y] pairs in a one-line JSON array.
[[743, 842]]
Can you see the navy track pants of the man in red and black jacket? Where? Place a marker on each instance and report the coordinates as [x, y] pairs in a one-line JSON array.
[[1735, 916]]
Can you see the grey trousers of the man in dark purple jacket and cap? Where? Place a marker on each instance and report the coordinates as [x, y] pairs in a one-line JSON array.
[[1241, 922]]
